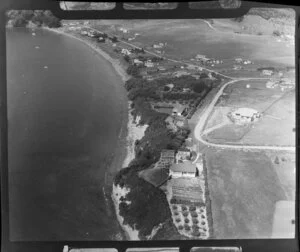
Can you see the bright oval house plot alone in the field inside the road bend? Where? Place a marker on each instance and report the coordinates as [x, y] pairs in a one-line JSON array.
[[244, 115]]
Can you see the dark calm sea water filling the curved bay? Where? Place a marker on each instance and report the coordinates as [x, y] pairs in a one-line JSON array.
[[66, 106]]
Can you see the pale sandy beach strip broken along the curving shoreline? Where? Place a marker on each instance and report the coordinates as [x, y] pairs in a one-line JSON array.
[[124, 153]]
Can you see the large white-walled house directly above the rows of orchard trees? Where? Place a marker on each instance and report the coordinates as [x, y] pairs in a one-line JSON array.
[[185, 169]]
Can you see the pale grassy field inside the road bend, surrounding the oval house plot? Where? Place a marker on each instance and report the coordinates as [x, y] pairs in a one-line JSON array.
[[274, 128]]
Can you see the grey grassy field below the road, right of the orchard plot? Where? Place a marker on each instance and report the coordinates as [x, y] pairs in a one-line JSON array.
[[242, 204]]
